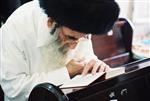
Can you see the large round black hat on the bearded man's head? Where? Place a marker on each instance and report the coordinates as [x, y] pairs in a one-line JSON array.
[[87, 16]]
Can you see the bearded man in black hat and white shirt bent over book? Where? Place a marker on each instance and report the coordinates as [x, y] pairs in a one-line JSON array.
[[49, 41]]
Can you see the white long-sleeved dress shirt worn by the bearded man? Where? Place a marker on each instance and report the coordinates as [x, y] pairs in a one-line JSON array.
[[23, 38]]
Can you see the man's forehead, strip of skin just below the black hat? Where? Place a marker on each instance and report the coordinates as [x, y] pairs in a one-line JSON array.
[[68, 31]]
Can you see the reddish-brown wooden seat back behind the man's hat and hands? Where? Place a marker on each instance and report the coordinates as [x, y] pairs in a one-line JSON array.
[[115, 48]]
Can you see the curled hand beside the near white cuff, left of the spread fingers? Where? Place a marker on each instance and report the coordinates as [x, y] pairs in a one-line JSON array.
[[75, 66]]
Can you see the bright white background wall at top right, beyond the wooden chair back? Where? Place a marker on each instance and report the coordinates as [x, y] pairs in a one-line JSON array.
[[138, 11]]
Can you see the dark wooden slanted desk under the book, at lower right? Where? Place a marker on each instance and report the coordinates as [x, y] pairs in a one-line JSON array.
[[136, 81]]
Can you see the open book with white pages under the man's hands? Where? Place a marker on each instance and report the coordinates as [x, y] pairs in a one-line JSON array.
[[82, 81]]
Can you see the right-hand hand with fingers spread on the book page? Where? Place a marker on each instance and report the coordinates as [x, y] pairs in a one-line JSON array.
[[94, 66]]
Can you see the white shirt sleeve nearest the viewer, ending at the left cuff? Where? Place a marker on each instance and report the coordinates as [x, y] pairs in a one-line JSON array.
[[15, 77]]
